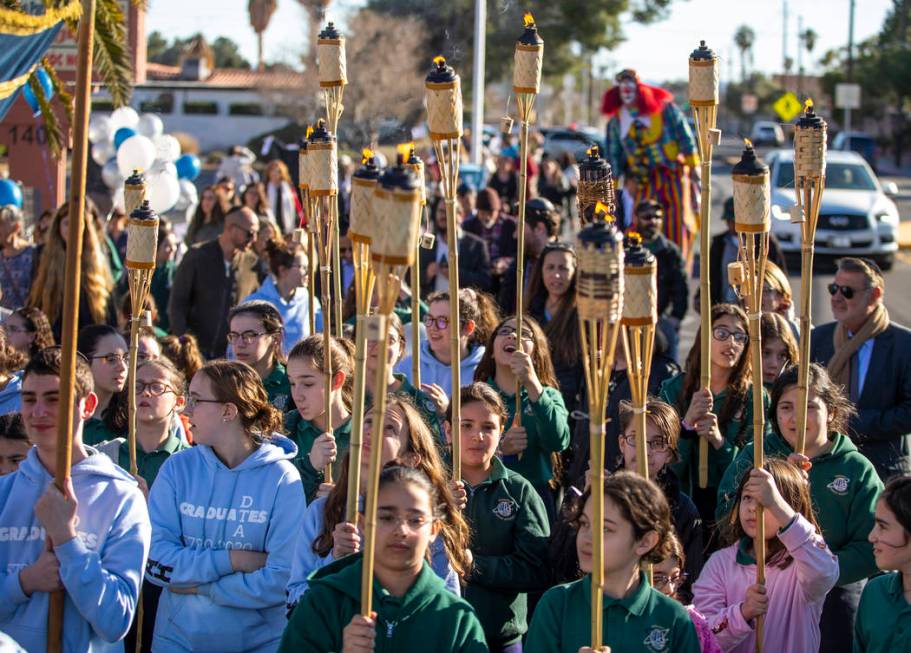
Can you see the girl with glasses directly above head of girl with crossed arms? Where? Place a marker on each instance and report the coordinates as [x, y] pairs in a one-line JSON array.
[[255, 333]]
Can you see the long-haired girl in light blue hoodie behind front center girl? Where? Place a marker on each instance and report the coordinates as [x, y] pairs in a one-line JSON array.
[[326, 537]]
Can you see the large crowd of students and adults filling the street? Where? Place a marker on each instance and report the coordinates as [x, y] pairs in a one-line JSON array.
[[236, 540]]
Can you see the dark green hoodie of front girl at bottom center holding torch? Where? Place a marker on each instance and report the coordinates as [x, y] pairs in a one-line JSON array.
[[427, 618]]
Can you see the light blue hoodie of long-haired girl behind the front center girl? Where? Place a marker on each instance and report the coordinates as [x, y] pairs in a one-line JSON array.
[[306, 561]]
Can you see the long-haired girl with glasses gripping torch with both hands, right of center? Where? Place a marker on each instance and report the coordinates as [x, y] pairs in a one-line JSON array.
[[721, 415]]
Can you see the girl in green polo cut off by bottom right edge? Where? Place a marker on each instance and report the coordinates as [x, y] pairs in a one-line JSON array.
[[883, 622]]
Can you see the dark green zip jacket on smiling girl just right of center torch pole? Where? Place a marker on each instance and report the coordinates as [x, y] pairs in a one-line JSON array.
[[509, 536]]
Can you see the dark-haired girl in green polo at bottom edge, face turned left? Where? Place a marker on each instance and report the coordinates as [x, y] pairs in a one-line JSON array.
[[636, 616]]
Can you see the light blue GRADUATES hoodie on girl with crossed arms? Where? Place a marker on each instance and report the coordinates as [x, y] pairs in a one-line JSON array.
[[200, 510]]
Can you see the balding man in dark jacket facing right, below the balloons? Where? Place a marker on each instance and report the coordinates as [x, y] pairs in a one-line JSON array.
[[210, 280]]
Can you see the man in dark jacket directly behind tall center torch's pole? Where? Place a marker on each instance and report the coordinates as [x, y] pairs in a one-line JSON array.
[[474, 260]]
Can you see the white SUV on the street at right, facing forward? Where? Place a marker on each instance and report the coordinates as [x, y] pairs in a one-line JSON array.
[[856, 218]]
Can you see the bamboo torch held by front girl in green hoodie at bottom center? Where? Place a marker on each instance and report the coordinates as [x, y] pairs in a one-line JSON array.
[[397, 203]]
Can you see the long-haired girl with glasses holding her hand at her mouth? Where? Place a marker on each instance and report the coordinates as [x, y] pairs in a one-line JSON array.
[[527, 449]]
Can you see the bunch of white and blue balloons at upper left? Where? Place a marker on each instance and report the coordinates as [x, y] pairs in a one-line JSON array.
[[124, 141]]
